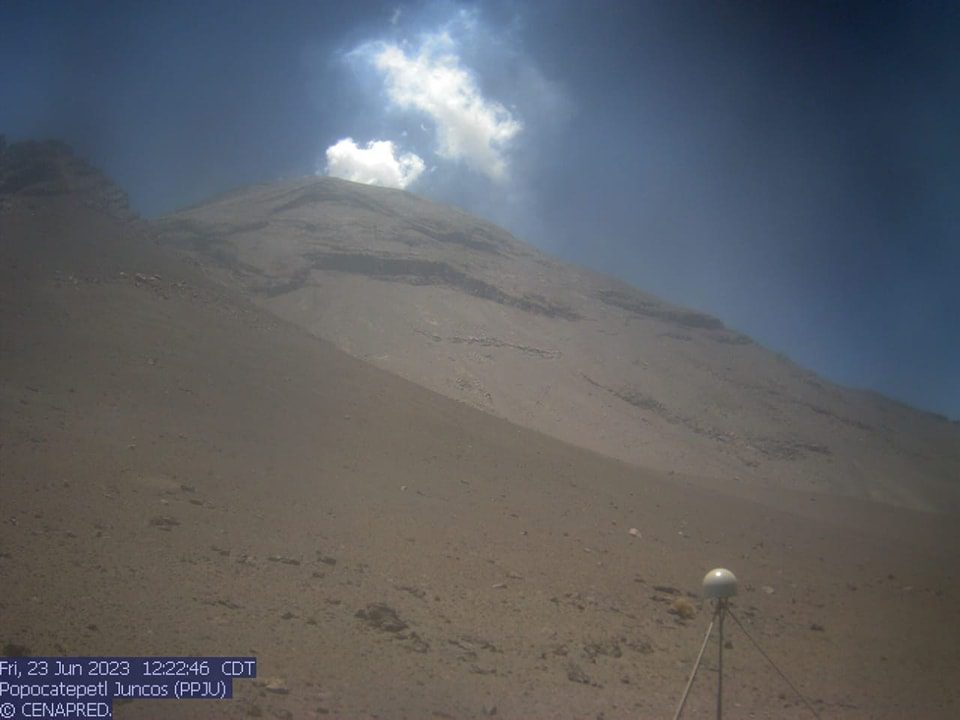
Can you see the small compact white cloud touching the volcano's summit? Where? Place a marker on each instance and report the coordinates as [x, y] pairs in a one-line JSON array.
[[376, 164]]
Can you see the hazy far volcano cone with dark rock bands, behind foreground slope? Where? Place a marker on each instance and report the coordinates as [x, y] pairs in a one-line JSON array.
[[463, 308]]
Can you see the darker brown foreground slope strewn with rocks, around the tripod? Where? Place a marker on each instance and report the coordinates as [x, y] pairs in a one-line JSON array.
[[182, 473]]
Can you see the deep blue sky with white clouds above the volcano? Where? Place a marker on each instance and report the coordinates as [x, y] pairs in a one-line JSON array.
[[793, 168]]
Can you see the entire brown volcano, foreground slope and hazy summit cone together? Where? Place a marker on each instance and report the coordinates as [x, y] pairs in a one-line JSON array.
[[420, 469]]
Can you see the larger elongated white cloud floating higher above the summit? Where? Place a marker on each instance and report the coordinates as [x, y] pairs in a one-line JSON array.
[[469, 127]]
